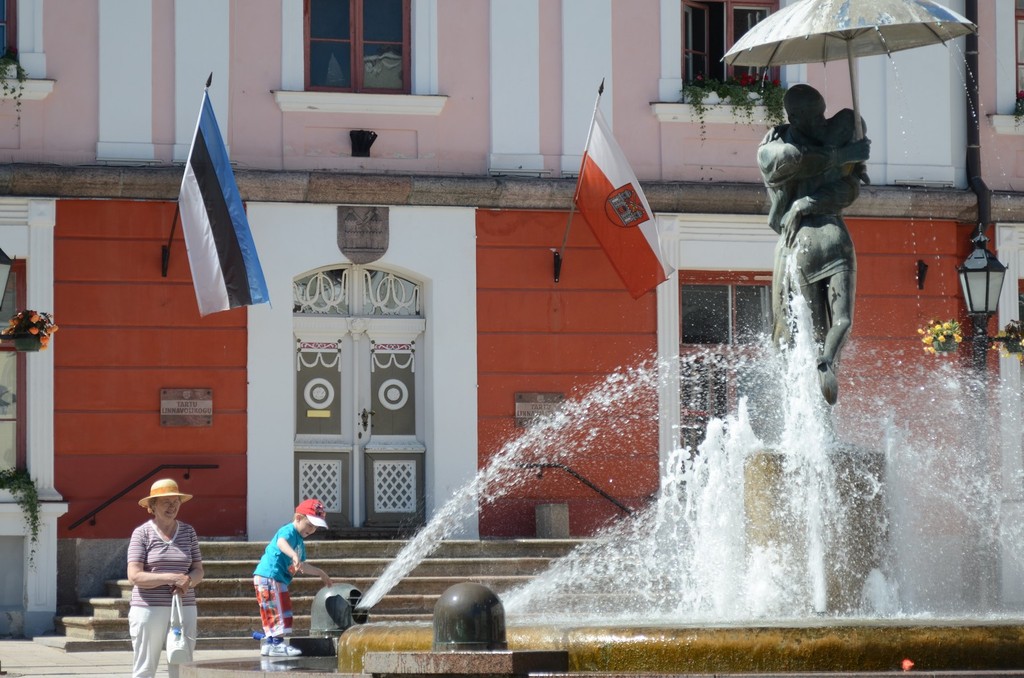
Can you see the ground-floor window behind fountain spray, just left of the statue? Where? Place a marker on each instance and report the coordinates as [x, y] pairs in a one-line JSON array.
[[718, 322]]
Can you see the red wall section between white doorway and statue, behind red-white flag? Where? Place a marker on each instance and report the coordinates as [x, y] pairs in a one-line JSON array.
[[539, 336]]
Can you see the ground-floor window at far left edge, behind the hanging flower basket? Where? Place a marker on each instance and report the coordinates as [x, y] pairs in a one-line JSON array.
[[13, 427]]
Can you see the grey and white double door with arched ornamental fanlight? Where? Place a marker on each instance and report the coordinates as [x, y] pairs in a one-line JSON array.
[[359, 429]]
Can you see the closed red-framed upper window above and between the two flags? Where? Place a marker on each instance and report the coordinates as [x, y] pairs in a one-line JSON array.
[[358, 46]]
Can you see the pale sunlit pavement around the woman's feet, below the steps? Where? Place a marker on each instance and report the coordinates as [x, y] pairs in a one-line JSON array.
[[27, 658]]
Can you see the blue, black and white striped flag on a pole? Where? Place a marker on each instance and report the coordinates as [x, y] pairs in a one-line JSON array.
[[222, 253]]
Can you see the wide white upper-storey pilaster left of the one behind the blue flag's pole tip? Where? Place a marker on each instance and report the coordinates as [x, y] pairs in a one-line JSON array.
[[125, 81]]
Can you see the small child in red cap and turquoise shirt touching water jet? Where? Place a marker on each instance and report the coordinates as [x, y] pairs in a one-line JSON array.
[[285, 557]]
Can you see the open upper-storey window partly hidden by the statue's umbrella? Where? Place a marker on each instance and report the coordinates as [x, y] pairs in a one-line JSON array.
[[712, 27]]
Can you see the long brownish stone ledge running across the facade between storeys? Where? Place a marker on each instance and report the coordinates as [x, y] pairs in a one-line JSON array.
[[490, 193]]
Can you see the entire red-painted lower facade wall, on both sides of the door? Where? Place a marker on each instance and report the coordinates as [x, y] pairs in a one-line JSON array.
[[127, 332]]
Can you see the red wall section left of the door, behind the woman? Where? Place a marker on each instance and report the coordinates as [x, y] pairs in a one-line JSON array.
[[125, 333]]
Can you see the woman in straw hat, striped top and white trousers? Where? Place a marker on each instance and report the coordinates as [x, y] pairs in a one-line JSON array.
[[163, 561]]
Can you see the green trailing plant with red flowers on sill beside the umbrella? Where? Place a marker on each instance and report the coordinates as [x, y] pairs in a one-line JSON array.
[[738, 94]]
